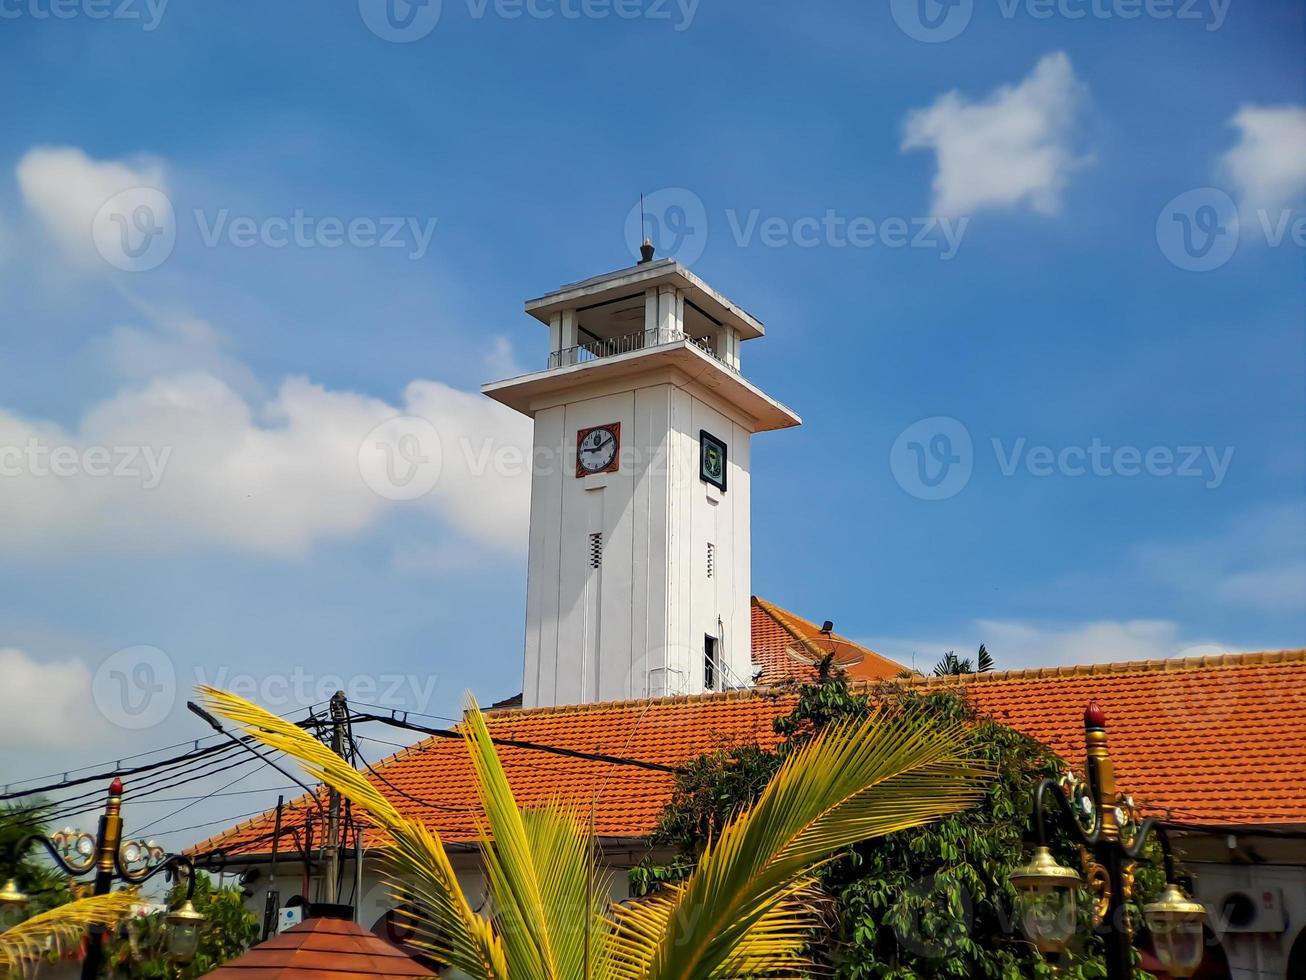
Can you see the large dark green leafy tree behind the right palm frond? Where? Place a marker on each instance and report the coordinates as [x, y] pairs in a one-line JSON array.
[[931, 902]]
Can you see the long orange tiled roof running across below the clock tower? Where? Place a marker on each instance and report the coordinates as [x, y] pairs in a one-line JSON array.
[[1211, 740]]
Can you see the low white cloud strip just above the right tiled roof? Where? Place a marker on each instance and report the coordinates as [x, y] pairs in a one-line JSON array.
[[1017, 645]]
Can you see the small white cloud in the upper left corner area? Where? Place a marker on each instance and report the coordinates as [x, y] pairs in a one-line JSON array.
[[66, 190]]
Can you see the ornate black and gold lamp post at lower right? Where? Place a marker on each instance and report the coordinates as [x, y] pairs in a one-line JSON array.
[[1103, 820]]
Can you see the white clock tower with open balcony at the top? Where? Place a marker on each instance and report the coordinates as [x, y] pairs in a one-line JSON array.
[[639, 570]]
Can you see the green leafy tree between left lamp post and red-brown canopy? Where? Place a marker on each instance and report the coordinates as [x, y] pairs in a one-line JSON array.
[[229, 930]]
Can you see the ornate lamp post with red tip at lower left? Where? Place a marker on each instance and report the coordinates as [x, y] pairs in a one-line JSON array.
[[112, 858]]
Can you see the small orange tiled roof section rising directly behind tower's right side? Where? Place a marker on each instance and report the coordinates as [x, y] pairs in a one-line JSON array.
[[788, 647]]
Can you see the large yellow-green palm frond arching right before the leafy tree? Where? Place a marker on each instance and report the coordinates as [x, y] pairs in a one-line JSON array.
[[857, 781]]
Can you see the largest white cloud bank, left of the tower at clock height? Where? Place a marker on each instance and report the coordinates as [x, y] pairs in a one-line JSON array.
[[211, 468]]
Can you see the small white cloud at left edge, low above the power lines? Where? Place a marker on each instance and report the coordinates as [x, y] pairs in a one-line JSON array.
[[42, 705]]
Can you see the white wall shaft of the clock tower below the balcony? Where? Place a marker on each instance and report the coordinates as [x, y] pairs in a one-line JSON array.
[[635, 625]]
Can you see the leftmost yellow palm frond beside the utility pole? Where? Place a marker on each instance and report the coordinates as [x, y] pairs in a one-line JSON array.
[[420, 867]]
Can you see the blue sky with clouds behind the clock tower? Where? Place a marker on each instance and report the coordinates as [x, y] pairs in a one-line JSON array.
[[1065, 314]]
